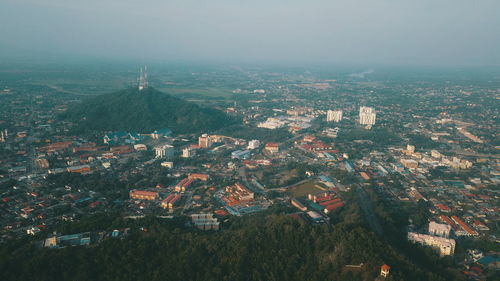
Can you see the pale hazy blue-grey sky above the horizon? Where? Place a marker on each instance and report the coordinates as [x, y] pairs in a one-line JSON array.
[[358, 31]]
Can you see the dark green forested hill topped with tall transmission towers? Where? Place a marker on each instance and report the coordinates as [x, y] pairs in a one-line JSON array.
[[143, 111]]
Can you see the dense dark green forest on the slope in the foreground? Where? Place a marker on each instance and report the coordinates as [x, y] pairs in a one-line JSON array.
[[261, 247]]
